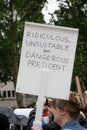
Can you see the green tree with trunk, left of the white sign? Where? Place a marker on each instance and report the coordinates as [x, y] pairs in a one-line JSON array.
[[13, 14]]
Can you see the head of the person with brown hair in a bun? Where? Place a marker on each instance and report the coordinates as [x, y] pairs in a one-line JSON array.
[[67, 109]]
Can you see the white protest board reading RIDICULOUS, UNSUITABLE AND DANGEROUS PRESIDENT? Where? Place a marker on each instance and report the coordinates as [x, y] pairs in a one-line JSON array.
[[47, 48]]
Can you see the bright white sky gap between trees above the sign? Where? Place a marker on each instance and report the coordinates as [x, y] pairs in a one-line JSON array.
[[49, 8]]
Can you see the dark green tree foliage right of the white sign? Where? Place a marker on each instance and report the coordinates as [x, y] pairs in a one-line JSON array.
[[71, 14]]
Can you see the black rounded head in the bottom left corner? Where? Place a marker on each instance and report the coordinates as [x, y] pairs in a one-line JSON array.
[[4, 123]]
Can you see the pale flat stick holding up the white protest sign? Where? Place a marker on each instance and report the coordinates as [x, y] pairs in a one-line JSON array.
[[42, 93]]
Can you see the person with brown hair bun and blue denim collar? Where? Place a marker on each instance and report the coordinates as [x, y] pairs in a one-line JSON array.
[[66, 112]]
